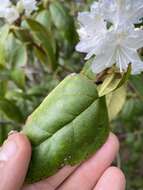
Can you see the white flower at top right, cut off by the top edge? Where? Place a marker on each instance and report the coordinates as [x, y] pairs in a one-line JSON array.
[[122, 12]]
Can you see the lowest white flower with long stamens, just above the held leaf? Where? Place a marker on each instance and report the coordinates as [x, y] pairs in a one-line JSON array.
[[120, 49]]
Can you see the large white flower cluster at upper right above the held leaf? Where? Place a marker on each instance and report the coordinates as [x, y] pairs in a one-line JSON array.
[[108, 31]]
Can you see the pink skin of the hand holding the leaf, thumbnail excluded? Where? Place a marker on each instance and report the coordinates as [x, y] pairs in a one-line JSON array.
[[94, 174]]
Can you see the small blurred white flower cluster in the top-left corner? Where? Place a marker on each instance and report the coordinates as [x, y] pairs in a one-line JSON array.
[[11, 12]]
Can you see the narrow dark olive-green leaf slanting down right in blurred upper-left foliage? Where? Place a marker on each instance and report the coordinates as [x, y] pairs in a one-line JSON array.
[[45, 41]]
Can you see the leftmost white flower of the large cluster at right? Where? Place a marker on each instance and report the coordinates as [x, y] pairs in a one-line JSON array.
[[93, 29]]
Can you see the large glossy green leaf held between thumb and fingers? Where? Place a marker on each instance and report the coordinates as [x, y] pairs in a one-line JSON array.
[[67, 128]]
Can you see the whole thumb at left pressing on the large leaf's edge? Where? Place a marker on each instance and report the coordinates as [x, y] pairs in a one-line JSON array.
[[14, 160]]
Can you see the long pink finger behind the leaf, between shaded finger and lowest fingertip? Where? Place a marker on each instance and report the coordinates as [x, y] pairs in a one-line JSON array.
[[87, 175]]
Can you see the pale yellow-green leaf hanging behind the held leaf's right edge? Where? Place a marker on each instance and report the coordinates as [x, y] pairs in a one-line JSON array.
[[115, 102]]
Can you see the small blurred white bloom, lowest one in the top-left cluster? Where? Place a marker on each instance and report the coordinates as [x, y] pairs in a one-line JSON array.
[[11, 14]]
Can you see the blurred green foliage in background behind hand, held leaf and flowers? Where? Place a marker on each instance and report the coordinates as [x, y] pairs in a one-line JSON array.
[[37, 53]]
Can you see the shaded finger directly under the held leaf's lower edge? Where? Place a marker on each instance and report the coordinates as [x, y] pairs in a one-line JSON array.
[[52, 182]]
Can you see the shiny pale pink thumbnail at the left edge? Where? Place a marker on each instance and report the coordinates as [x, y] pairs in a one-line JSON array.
[[8, 150]]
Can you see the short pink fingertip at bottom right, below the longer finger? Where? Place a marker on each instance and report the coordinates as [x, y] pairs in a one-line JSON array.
[[112, 179]]
